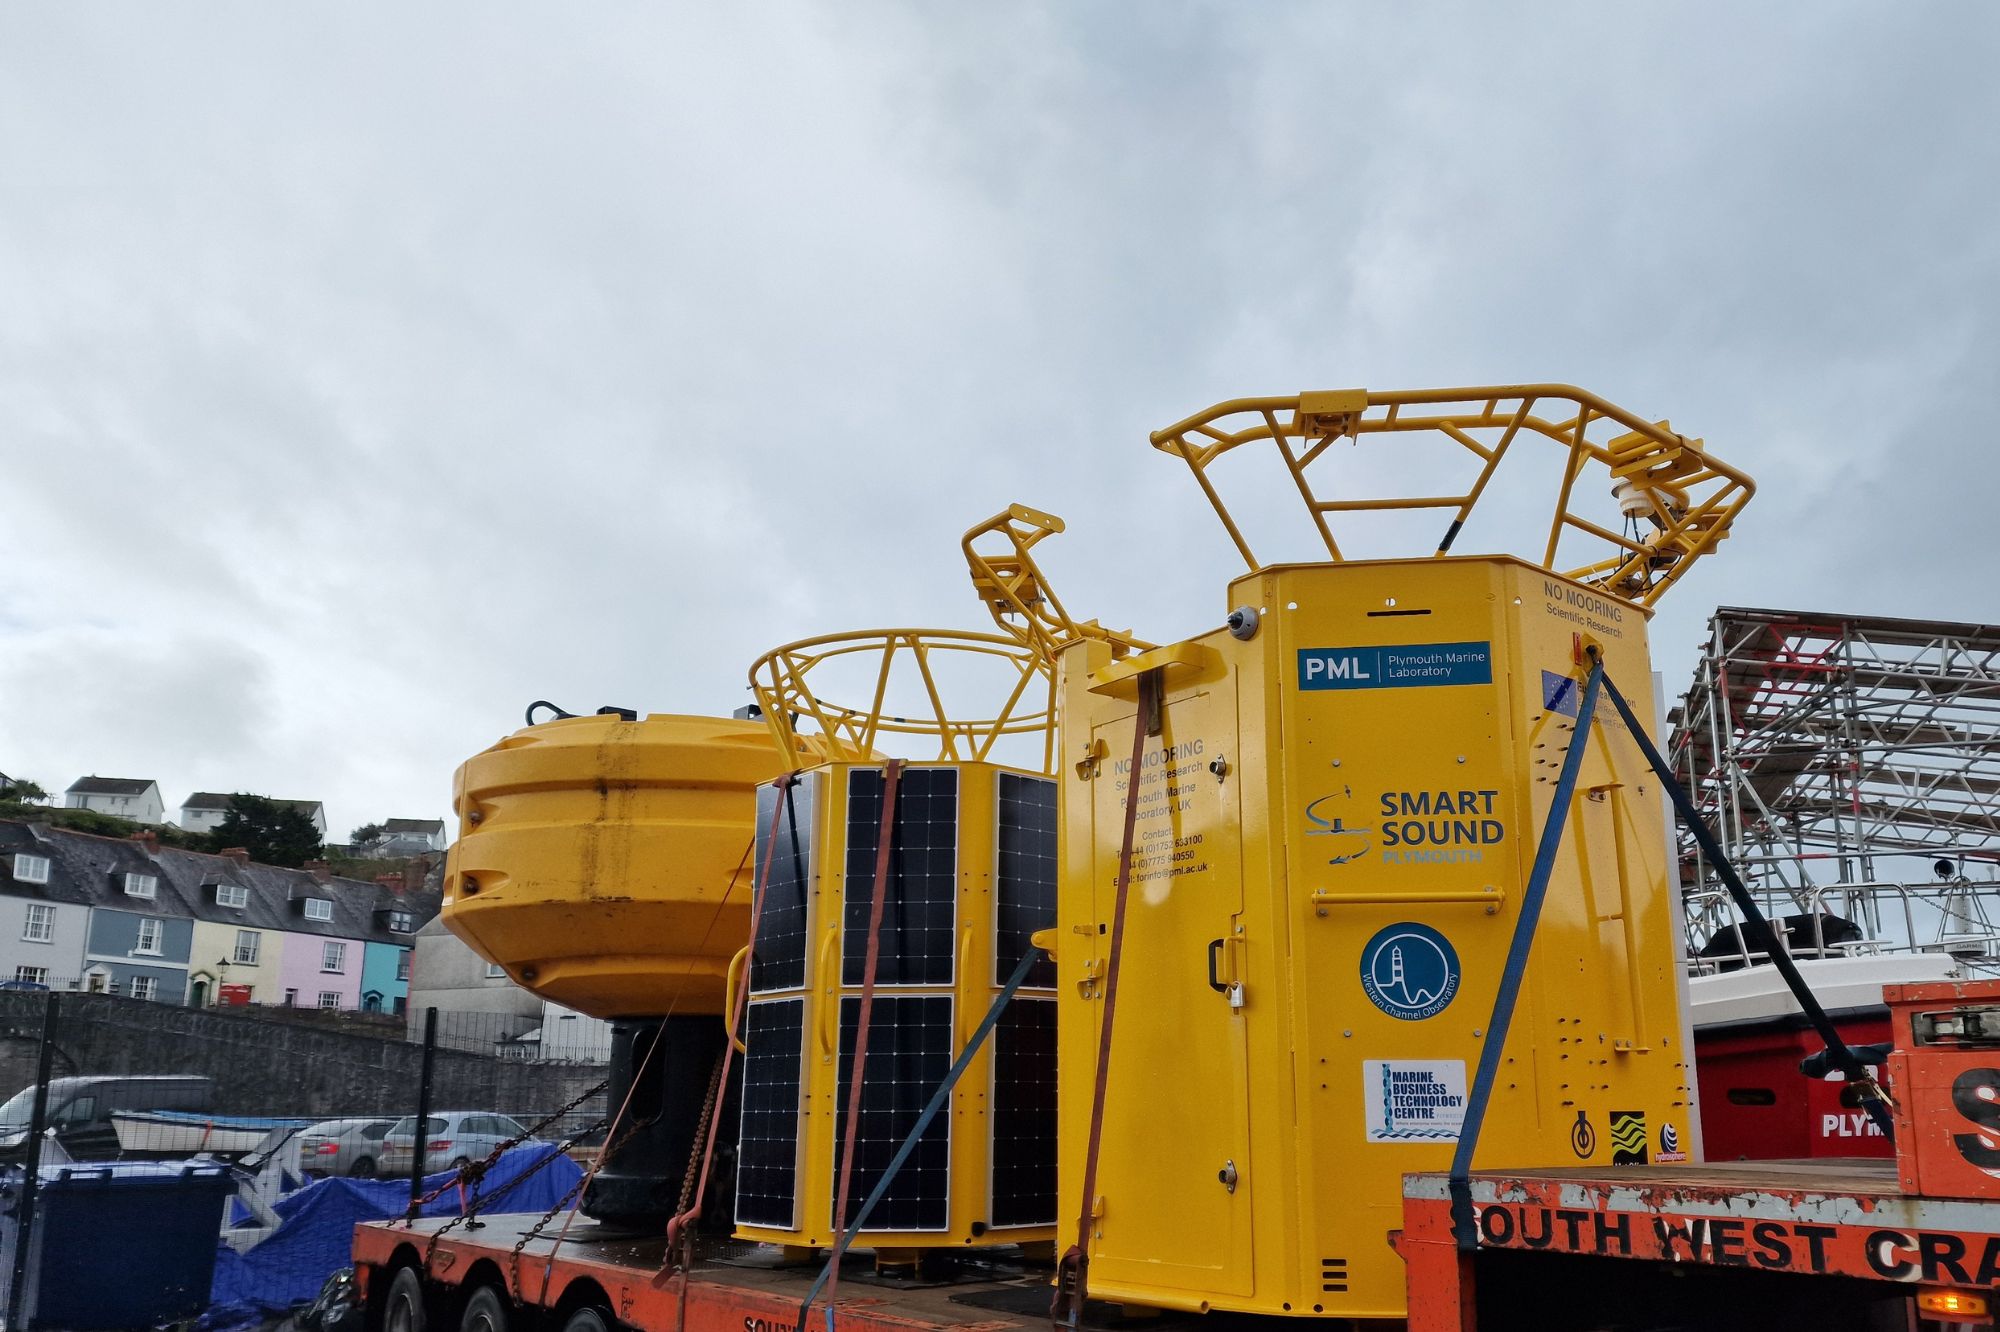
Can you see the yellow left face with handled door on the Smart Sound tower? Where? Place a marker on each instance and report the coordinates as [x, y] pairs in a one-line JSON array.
[[1173, 1161]]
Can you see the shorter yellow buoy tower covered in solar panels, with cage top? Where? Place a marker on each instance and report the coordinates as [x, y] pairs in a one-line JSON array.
[[967, 879]]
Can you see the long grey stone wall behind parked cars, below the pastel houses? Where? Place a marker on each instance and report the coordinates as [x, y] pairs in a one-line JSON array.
[[265, 1067]]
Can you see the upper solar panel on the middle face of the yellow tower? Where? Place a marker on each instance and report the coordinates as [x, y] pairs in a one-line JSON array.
[[921, 913]]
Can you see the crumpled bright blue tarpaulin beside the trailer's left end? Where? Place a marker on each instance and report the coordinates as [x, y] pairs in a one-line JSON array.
[[317, 1231]]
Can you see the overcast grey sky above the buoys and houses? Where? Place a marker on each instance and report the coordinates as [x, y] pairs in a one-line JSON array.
[[373, 371]]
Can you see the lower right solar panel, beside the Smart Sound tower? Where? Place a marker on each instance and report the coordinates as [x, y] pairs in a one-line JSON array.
[[1025, 1115]]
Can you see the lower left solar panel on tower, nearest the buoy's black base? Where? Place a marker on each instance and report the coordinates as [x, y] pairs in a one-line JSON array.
[[767, 1147]]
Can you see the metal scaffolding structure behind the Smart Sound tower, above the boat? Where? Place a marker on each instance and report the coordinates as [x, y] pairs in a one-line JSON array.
[[1851, 769]]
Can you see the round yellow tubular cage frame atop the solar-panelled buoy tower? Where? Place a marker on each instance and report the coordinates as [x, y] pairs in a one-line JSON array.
[[781, 681]]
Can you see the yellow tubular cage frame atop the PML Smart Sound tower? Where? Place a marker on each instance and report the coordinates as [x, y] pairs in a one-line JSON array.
[[1687, 497]]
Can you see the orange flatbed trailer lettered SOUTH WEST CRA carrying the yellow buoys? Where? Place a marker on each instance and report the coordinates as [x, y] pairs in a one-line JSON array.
[[1723, 1247]]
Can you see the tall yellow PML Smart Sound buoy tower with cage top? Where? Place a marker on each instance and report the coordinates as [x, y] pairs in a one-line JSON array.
[[1295, 849]]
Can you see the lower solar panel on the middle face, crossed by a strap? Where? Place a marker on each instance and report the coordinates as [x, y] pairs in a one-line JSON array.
[[909, 1055]]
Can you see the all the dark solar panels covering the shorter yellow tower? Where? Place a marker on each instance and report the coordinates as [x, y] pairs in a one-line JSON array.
[[913, 1037]]
